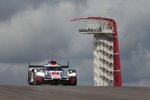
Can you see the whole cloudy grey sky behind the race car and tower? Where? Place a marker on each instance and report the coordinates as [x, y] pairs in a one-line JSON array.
[[39, 30]]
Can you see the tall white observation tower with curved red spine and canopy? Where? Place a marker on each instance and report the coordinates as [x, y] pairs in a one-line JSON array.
[[107, 70]]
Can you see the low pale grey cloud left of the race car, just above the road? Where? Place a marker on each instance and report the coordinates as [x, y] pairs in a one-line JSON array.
[[13, 73]]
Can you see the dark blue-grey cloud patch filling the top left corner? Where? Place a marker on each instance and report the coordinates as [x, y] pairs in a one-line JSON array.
[[9, 9]]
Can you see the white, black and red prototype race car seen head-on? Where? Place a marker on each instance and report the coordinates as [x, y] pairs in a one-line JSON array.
[[51, 73]]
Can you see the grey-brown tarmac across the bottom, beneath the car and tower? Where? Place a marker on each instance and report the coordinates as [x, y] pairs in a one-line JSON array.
[[52, 92]]
